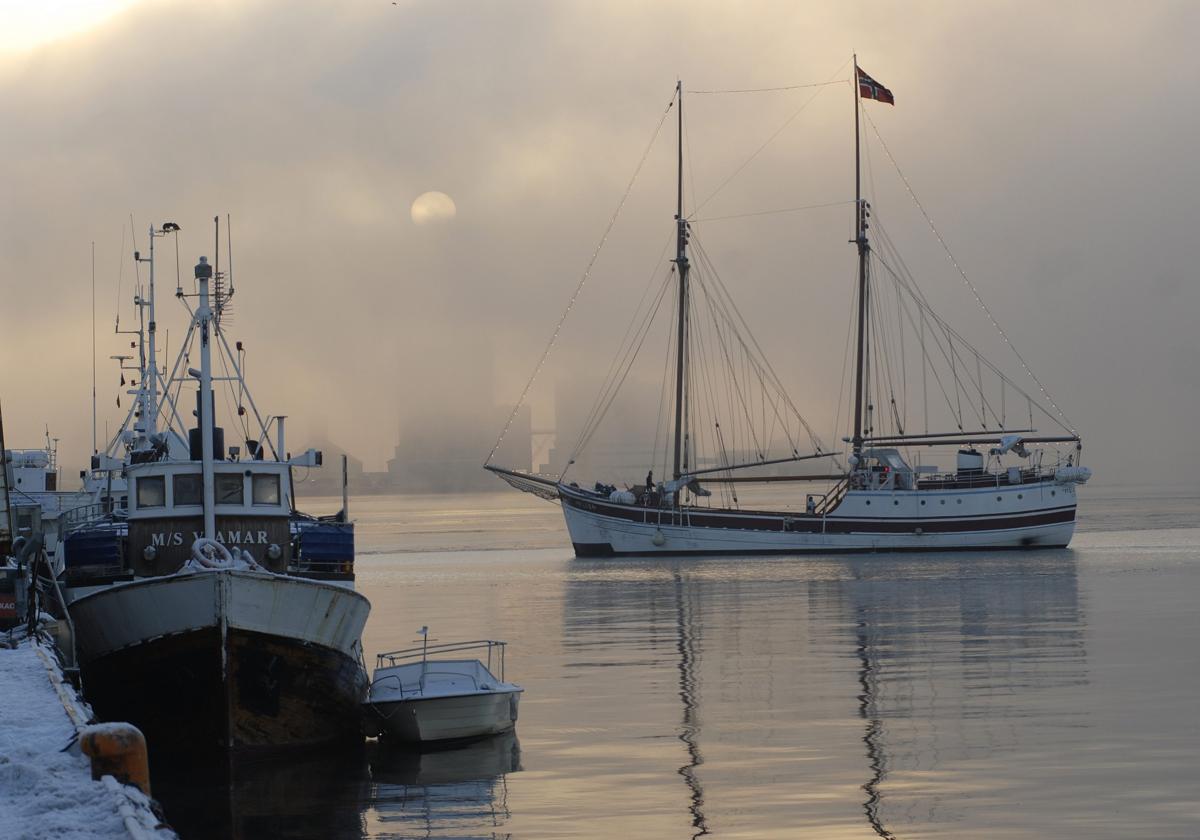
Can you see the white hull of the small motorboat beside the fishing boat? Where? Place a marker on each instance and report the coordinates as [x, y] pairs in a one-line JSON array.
[[447, 718]]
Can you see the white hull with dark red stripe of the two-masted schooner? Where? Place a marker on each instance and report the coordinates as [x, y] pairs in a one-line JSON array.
[[1003, 517]]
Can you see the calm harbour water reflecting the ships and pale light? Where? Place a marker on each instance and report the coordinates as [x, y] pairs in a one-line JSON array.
[[1042, 694]]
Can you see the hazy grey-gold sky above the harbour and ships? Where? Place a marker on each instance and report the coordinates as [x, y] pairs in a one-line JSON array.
[[1053, 145]]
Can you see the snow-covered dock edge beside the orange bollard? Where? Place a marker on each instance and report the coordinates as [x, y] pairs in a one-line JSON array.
[[46, 785]]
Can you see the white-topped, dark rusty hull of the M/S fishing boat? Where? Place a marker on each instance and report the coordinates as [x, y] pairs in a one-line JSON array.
[[225, 662]]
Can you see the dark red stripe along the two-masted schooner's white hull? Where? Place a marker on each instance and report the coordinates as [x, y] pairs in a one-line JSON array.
[[801, 524]]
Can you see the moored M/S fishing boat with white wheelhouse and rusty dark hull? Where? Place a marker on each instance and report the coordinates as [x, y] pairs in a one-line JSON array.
[[208, 611]]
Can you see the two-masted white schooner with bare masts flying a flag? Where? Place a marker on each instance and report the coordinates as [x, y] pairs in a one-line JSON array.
[[1011, 487]]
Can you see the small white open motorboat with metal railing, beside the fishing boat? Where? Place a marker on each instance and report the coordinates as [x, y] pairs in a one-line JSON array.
[[431, 694]]
